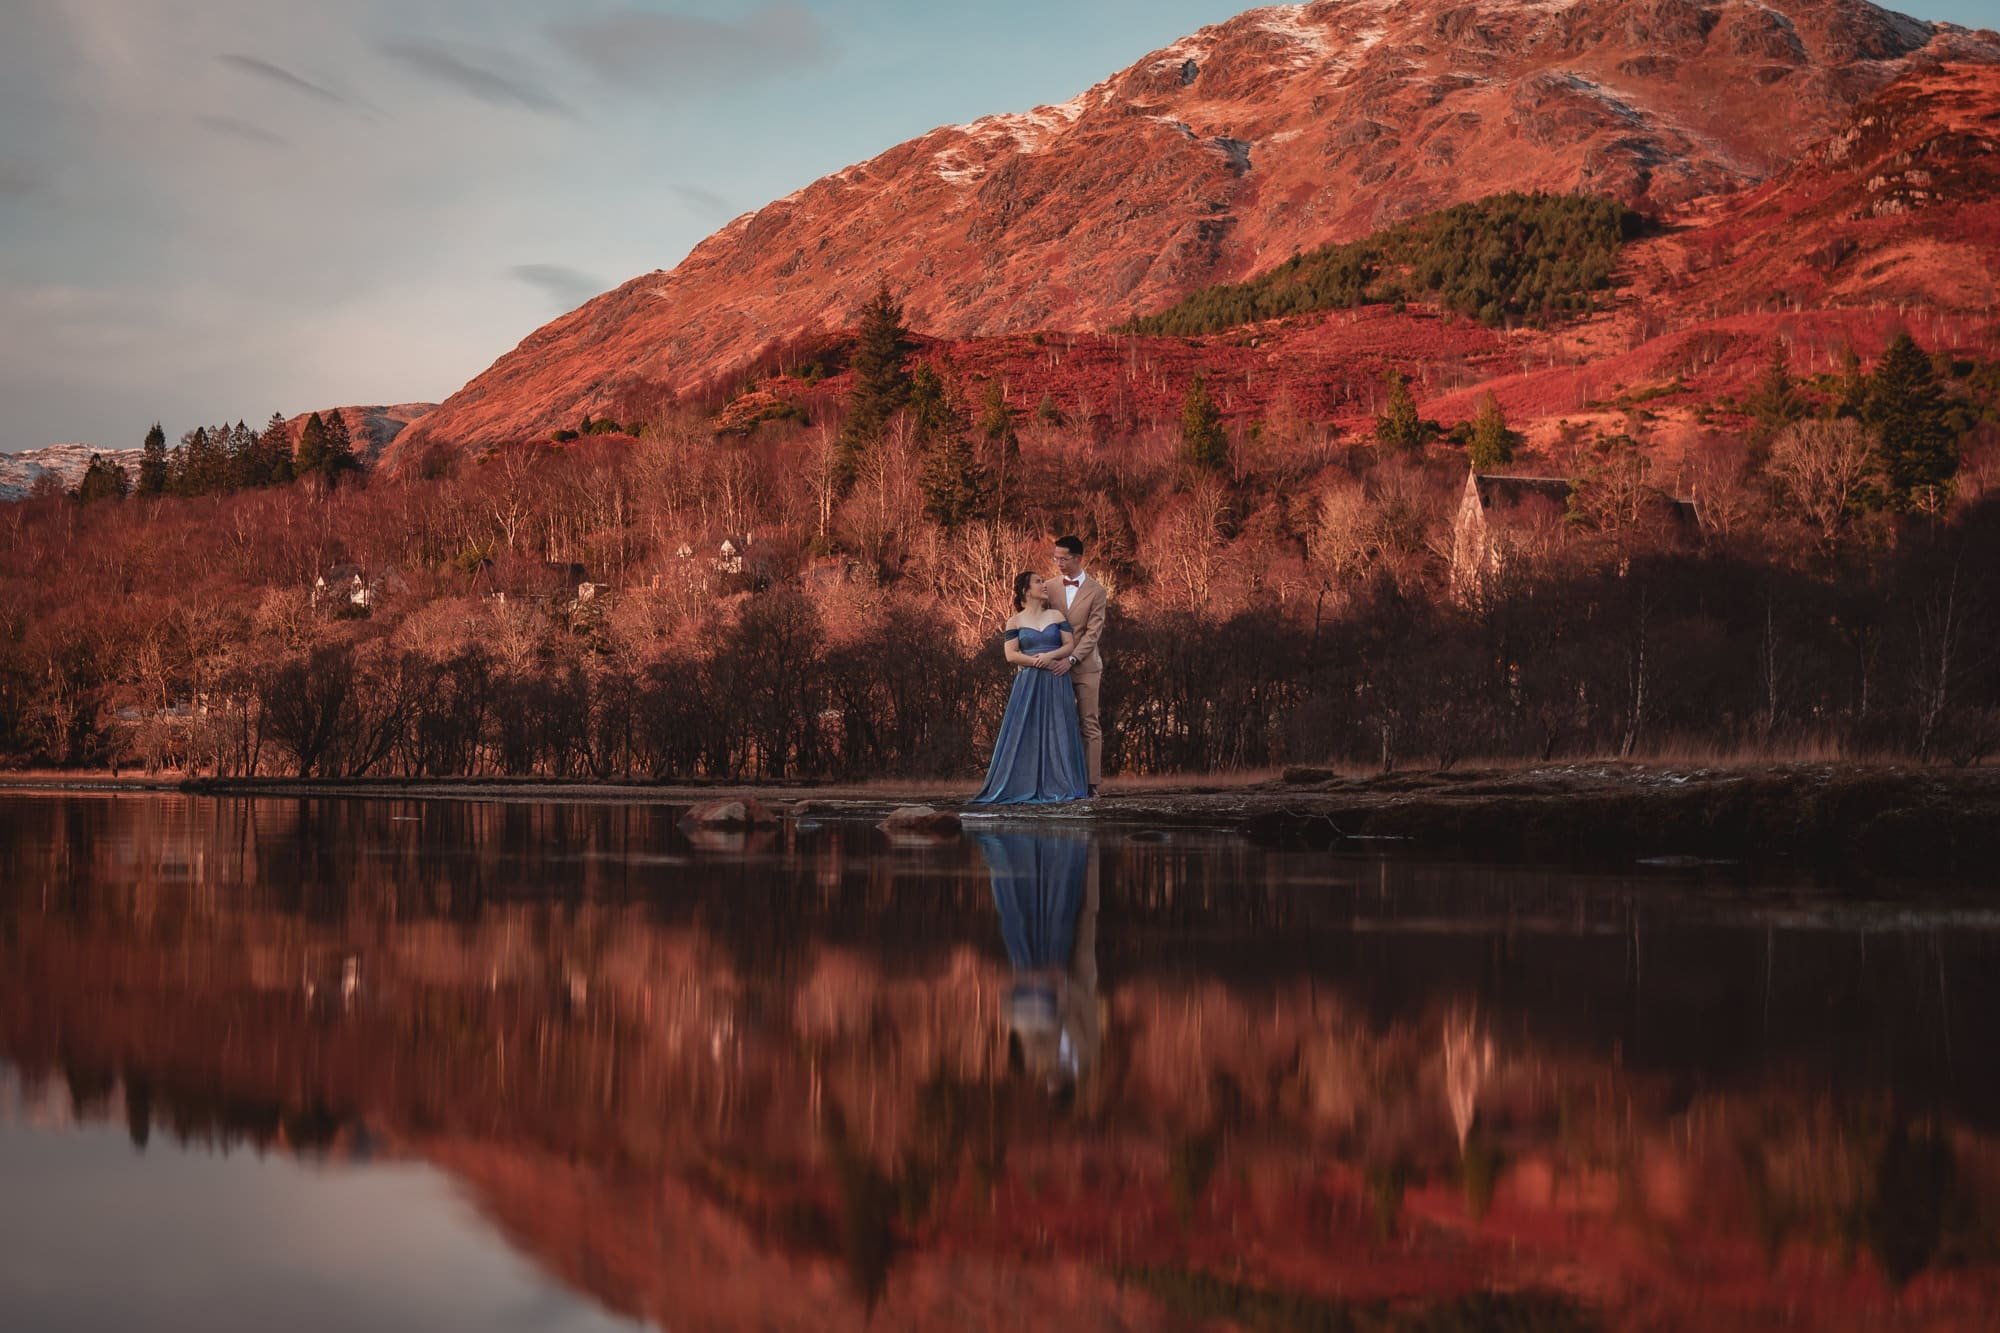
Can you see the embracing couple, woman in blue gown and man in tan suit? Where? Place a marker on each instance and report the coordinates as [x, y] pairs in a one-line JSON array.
[[1051, 744]]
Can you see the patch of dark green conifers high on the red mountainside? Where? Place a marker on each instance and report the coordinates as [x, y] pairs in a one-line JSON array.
[[1509, 259]]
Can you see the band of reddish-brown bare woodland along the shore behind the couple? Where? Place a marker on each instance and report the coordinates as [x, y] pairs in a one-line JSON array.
[[819, 597]]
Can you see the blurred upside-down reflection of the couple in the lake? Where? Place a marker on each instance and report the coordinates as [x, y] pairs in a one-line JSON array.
[[1047, 896]]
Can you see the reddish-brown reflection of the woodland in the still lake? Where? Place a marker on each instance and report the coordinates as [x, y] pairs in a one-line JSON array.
[[709, 1020]]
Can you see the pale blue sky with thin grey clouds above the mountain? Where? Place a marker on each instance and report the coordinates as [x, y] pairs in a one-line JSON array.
[[221, 209]]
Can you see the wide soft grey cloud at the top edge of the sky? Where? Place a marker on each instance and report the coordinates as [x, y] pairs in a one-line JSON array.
[[647, 49]]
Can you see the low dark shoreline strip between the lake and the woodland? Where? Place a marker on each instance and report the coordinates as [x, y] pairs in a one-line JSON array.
[[1821, 822]]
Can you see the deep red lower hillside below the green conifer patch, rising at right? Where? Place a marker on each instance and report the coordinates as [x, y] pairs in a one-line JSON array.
[[1835, 253]]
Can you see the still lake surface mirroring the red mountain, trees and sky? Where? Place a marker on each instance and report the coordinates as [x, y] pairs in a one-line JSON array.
[[515, 1066]]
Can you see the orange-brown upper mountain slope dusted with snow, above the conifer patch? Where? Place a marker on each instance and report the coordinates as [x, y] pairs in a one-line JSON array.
[[1215, 159]]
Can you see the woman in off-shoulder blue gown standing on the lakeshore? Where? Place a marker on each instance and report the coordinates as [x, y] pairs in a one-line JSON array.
[[1039, 756]]
